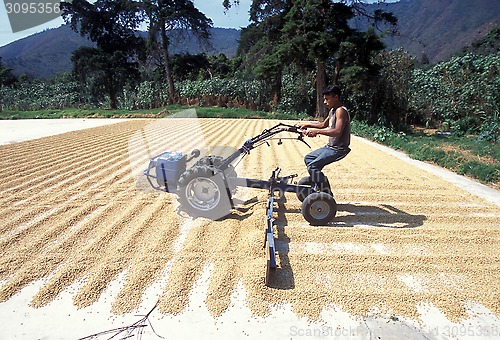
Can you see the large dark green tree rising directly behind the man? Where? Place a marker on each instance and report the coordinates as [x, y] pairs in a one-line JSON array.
[[307, 33]]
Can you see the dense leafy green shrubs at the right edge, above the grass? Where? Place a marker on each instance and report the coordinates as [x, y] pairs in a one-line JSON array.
[[461, 93]]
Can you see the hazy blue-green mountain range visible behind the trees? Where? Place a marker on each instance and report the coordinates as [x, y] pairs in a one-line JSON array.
[[434, 28]]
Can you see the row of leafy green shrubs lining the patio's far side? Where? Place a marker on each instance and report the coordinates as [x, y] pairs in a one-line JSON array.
[[460, 95]]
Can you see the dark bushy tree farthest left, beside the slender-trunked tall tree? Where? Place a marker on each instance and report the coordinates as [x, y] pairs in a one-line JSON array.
[[115, 61]]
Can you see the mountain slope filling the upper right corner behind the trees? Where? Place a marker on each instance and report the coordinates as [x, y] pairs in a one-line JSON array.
[[440, 28]]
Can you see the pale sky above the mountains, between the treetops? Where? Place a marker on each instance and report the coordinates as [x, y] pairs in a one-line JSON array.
[[236, 17]]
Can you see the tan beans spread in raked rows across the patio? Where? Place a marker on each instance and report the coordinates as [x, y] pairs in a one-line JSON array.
[[71, 213]]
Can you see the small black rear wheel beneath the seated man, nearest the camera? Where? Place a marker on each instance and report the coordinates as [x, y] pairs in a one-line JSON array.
[[319, 208]]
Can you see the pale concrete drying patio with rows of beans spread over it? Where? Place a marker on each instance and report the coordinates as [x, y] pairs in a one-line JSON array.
[[74, 183]]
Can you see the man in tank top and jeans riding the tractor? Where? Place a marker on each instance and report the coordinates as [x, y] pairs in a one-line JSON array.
[[337, 127]]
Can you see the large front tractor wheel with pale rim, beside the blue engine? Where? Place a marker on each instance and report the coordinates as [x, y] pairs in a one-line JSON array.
[[202, 192]]
